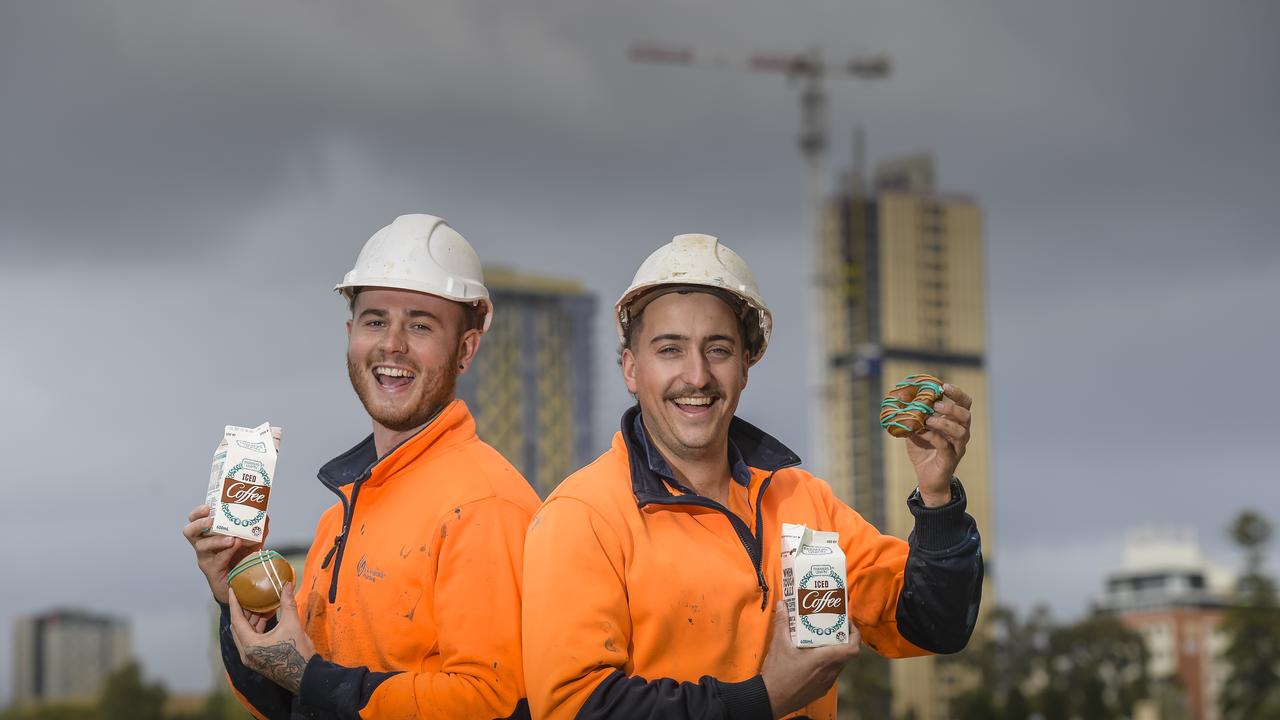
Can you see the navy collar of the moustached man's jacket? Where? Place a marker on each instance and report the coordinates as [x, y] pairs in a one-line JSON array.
[[748, 448]]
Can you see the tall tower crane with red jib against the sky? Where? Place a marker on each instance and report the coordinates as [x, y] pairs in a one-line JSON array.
[[810, 71]]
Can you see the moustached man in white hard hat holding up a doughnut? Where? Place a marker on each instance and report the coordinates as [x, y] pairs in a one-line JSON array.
[[653, 577]]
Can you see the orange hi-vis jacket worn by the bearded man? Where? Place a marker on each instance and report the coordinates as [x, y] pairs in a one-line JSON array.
[[412, 589]]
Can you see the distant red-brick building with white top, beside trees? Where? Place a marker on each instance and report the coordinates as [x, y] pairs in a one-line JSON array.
[[1172, 596]]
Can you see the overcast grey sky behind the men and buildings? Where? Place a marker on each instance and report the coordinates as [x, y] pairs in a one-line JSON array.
[[181, 186]]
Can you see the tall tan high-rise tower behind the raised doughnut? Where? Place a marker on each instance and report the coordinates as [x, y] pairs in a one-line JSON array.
[[903, 293]]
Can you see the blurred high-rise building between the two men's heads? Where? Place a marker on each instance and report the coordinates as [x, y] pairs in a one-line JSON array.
[[531, 386]]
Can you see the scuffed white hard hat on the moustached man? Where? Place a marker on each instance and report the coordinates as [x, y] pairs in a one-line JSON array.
[[700, 261]]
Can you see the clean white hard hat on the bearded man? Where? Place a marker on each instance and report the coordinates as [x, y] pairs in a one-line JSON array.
[[424, 254]]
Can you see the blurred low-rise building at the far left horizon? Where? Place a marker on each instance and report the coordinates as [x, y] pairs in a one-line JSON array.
[[66, 655]]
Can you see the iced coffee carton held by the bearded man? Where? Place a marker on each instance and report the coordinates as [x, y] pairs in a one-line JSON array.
[[240, 482]]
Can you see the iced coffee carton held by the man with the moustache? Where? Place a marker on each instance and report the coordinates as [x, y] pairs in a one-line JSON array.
[[813, 587]]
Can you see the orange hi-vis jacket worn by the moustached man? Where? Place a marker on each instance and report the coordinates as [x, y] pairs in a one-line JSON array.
[[646, 600]]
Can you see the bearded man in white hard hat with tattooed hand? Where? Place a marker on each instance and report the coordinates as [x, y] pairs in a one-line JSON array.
[[409, 604]]
